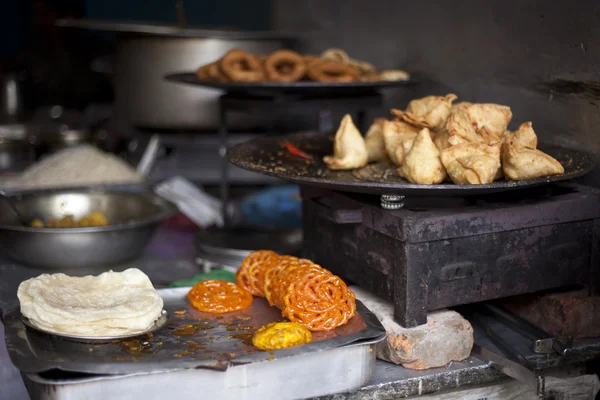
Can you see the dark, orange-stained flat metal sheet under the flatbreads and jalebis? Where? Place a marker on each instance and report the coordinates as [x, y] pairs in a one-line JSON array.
[[206, 341]]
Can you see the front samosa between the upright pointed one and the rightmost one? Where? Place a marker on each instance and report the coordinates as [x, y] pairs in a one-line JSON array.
[[472, 163]]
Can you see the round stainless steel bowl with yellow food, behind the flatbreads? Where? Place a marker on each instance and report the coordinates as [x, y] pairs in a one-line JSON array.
[[133, 217]]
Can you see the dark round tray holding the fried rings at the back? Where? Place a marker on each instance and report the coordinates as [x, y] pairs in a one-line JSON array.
[[298, 88]]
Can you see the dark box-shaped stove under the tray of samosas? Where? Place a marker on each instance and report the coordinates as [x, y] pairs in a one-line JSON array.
[[440, 252]]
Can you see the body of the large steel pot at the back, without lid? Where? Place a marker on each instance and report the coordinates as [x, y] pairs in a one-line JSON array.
[[143, 97]]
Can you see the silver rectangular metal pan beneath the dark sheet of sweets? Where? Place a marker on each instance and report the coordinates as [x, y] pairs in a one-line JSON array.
[[310, 375]]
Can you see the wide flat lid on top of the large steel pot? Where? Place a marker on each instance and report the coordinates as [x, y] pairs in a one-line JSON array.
[[166, 30]]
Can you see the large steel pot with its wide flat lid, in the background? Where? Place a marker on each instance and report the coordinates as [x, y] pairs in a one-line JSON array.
[[146, 53]]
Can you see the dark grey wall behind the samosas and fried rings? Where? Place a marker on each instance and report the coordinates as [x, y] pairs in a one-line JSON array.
[[542, 58]]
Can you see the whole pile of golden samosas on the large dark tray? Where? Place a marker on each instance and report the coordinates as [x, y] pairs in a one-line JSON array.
[[434, 140]]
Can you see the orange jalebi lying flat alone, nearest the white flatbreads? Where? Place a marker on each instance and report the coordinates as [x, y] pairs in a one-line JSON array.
[[216, 297]]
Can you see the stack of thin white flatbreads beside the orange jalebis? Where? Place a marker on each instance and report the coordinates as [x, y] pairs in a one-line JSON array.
[[110, 304]]
